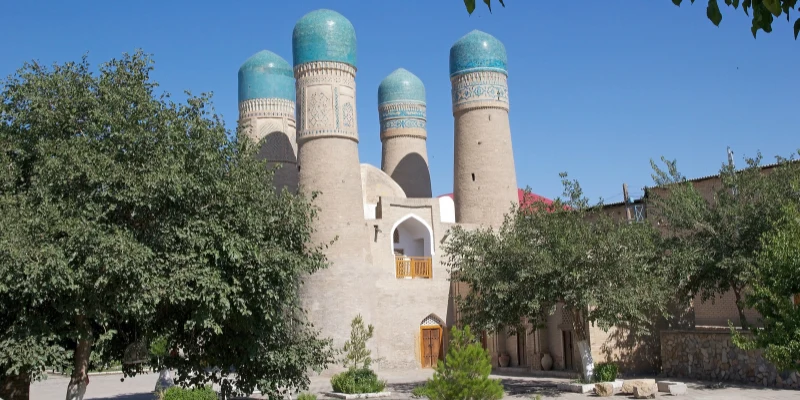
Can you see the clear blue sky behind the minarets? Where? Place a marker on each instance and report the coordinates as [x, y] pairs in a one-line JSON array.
[[596, 90]]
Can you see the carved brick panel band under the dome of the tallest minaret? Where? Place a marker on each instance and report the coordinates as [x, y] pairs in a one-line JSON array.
[[326, 100]]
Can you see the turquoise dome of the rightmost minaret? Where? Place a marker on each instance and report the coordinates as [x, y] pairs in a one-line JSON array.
[[478, 51]]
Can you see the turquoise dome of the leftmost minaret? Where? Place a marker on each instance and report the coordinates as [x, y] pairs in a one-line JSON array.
[[266, 75]]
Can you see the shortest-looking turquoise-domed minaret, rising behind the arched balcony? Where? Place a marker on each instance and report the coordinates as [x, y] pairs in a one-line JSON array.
[[402, 114]]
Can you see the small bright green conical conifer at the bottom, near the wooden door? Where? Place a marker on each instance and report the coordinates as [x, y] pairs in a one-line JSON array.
[[465, 372]]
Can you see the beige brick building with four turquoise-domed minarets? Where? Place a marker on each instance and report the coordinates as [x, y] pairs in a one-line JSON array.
[[386, 264]]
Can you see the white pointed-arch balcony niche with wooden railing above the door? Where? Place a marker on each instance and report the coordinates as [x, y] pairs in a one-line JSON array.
[[412, 246]]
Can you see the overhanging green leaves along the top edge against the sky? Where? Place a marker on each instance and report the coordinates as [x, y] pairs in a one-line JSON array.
[[764, 11]]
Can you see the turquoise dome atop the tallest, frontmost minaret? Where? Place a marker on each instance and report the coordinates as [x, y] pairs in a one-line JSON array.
[[324, 35]]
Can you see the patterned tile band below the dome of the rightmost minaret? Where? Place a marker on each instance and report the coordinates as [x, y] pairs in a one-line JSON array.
[[479, 89]]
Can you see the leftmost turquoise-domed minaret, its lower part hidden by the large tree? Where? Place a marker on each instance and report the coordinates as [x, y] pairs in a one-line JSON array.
[[267, 112]]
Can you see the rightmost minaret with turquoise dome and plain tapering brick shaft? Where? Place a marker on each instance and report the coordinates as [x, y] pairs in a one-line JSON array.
[[485, 182]]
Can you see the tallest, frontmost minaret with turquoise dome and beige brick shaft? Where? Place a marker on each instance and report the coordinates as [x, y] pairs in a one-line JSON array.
[[324, 54]]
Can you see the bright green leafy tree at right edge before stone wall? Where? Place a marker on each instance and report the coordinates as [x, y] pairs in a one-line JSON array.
[[776, 288]]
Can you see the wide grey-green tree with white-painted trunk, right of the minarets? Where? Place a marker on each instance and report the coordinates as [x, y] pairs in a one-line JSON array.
[[574, 255]]
